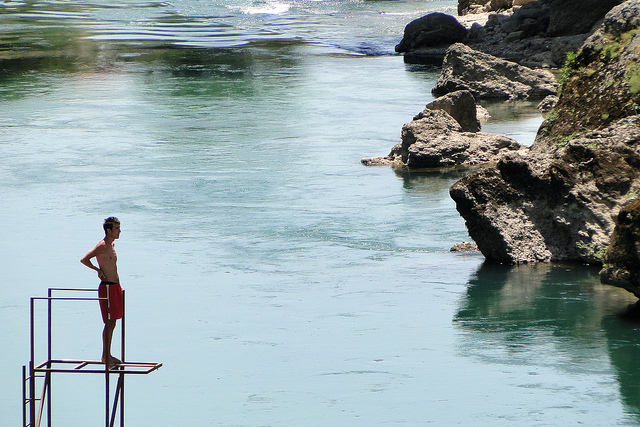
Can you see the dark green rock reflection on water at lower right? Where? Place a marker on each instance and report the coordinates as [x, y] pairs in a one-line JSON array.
[[555, 315]]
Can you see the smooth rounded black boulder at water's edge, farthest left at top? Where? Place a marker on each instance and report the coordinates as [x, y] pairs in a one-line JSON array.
[[433, 30]]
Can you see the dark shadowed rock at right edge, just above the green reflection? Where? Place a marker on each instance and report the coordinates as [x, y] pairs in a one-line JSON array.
[[622, 261]]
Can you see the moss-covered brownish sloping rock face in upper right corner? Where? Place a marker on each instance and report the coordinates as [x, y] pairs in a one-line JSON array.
[[601, 83]]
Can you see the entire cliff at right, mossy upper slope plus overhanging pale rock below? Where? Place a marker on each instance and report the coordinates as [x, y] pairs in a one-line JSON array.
[[559, 201]]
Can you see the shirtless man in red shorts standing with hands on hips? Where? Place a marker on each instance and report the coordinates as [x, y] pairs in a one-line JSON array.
[[112, 304]]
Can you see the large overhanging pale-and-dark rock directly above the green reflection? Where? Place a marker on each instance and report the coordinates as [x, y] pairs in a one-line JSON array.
[[553, 207]]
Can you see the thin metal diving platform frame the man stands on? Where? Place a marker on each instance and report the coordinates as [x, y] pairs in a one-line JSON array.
[[51, 366]]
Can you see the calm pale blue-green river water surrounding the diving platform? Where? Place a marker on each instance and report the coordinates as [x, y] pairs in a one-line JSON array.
[[279, 281]]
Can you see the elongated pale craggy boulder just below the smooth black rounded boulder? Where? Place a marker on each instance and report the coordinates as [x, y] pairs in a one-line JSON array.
[[488, 77]]
